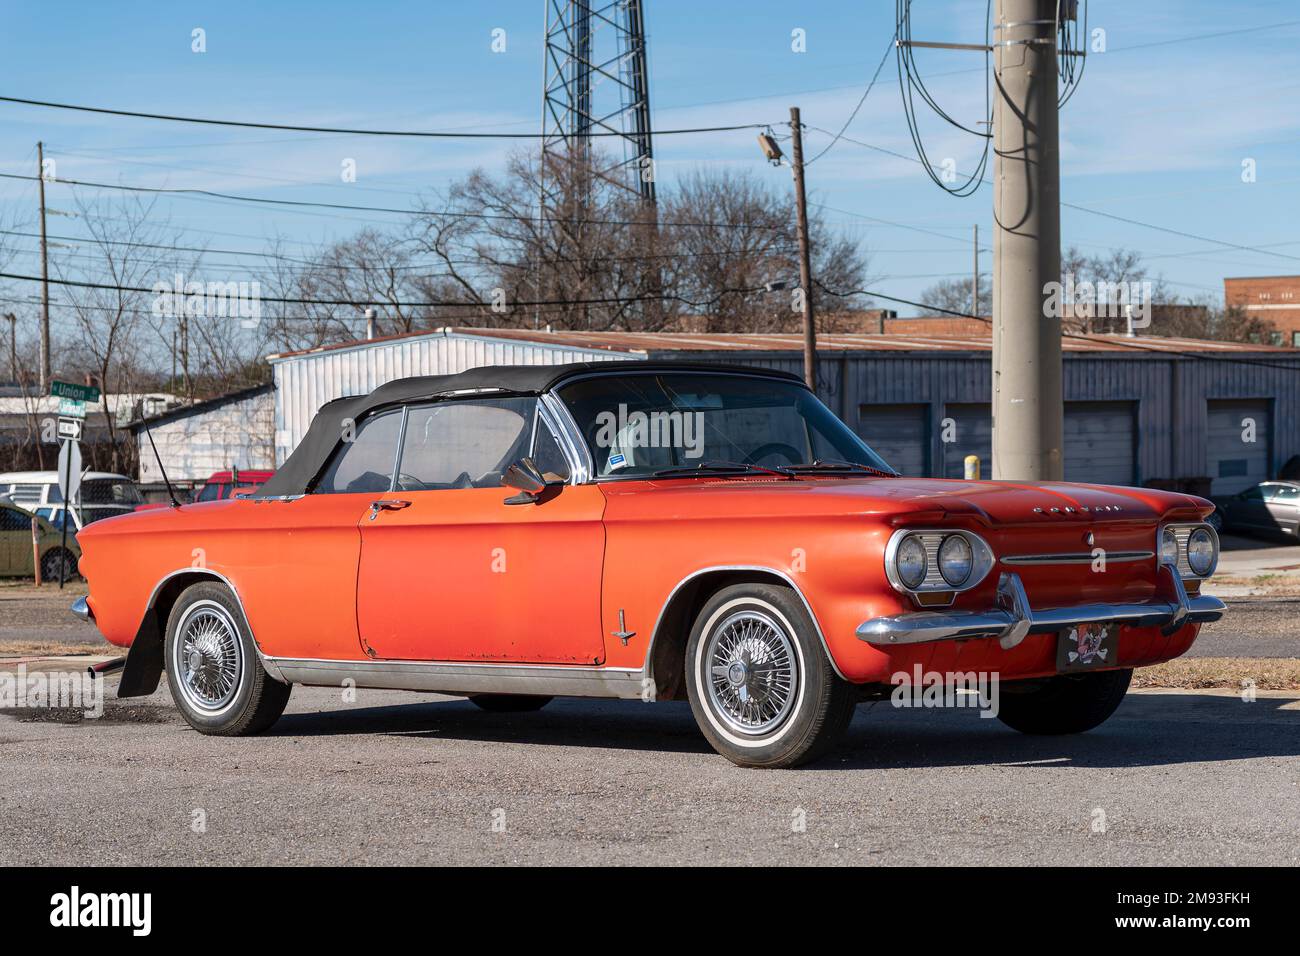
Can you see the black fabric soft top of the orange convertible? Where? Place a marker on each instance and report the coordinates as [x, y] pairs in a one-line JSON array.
[[327, 430]]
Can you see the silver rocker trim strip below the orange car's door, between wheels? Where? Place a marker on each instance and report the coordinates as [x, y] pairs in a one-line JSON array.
[[558, 681]]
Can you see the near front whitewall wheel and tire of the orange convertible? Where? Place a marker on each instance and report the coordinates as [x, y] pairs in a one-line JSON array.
[[761, 686]]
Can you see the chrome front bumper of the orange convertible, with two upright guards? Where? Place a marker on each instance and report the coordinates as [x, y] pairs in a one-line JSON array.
[[1015, 618]]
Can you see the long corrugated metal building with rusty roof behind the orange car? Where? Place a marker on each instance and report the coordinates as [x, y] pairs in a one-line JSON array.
[[1137, 410]]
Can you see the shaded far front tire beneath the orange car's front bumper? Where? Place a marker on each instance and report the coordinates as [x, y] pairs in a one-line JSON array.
[[1068, 704]]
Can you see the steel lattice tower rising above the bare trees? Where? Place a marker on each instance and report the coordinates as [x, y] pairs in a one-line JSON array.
[[596, 92]]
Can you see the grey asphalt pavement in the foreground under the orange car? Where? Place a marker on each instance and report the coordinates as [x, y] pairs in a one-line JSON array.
[[402, 778]]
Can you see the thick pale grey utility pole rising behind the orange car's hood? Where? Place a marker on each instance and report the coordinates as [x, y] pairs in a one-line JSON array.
[[1028, 403]]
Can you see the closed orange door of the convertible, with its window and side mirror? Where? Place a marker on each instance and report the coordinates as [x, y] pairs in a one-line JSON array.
[[452, 572]]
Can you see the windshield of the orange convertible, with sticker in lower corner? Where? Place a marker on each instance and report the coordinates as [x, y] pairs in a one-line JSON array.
[[682, 423]]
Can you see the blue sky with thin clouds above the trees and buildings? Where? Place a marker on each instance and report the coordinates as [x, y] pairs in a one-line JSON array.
[[1156, 133]]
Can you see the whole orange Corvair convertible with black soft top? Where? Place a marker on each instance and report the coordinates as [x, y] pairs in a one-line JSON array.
[[649, 531]]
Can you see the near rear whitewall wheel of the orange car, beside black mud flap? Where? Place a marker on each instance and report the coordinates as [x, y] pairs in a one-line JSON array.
[[214, 671]]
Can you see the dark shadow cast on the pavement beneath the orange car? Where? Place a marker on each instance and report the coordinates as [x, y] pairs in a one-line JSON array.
[[1149, 730]]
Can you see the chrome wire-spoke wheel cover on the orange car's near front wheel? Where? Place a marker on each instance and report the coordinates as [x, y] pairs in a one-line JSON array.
[[752, 673]]
